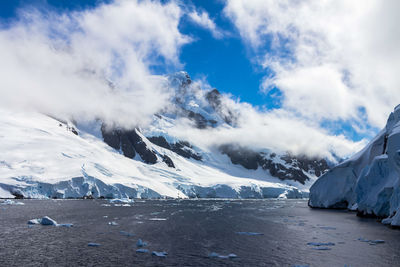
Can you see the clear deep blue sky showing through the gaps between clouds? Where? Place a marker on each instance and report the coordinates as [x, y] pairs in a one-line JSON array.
[[225, 63]]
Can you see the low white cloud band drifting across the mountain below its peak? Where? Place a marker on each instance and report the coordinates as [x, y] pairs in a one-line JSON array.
[[277, 130]]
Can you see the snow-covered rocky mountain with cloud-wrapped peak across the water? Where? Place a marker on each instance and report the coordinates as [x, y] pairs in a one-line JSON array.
[[47, 157]]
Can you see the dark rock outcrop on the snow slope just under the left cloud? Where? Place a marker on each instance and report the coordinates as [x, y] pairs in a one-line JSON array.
[[129, 142]]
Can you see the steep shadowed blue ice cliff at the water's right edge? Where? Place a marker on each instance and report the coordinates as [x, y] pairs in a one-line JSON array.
[[369, 181]]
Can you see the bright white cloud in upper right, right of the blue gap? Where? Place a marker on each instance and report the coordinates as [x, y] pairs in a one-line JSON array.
[[330, 58]]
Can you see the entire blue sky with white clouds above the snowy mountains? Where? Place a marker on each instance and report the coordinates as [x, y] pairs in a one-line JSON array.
[[327, 67]]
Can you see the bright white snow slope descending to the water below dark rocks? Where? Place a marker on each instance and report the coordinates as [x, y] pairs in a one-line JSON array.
[[42, 158]]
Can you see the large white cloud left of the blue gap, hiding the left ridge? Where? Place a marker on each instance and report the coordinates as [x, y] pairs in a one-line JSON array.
[[60, 63]]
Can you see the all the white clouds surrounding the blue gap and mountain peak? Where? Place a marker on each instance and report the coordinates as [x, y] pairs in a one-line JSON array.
[[99, 63]]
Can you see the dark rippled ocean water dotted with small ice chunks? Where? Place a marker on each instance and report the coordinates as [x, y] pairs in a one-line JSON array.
[[189, 230]]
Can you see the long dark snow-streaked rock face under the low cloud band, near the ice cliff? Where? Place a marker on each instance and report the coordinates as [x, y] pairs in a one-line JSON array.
[[294, 169]]
